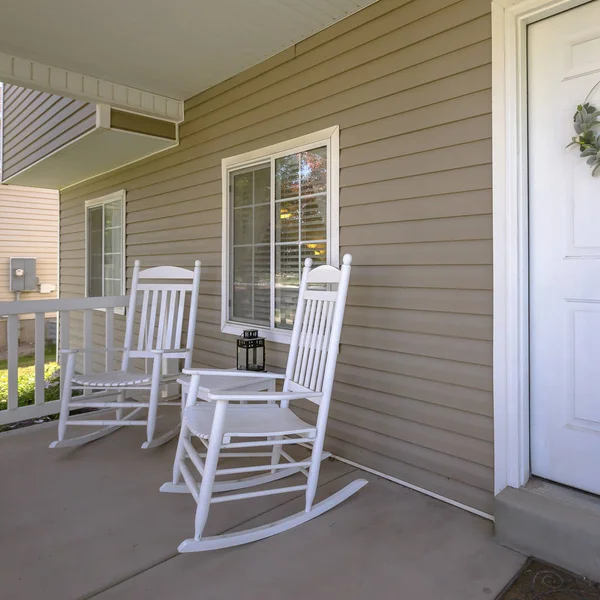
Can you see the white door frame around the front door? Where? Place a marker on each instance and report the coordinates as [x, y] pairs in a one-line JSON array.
[[511, 233]]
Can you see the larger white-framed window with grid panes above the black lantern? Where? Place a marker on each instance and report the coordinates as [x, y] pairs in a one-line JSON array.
[[280, 206]]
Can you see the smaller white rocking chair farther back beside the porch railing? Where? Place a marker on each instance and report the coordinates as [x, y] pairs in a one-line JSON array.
[[168, 293]]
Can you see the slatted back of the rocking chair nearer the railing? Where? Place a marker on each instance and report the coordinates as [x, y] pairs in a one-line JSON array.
[[163, 307]]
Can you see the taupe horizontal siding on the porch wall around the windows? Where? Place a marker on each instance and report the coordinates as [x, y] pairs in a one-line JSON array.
[[408, 83]]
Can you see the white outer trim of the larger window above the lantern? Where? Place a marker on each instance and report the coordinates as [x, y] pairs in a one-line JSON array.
[[329, 137]]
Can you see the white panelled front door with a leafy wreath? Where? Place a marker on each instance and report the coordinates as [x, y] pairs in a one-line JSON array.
[[564, 230]]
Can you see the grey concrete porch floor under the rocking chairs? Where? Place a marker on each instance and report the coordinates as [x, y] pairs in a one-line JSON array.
[[91, 523]]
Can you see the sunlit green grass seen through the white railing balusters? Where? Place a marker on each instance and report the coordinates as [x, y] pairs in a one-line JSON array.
[[26, 383]]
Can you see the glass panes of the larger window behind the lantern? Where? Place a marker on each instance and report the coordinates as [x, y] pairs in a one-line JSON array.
[[298, 207]]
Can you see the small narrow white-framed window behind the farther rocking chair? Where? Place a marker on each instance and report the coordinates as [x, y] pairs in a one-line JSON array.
[[105, 245]]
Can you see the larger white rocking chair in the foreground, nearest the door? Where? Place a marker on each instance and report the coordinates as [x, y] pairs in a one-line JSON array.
[[223, 427]]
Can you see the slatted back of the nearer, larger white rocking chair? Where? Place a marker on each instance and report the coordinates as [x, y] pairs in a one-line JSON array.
[[317, 328]]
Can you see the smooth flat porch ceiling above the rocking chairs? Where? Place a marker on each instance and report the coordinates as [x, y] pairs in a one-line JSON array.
[[176, 48]]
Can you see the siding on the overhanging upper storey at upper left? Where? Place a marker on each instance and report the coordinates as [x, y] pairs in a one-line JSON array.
[[37, 123]]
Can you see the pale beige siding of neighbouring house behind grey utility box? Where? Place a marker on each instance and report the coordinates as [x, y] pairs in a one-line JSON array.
[[29, 227]]
